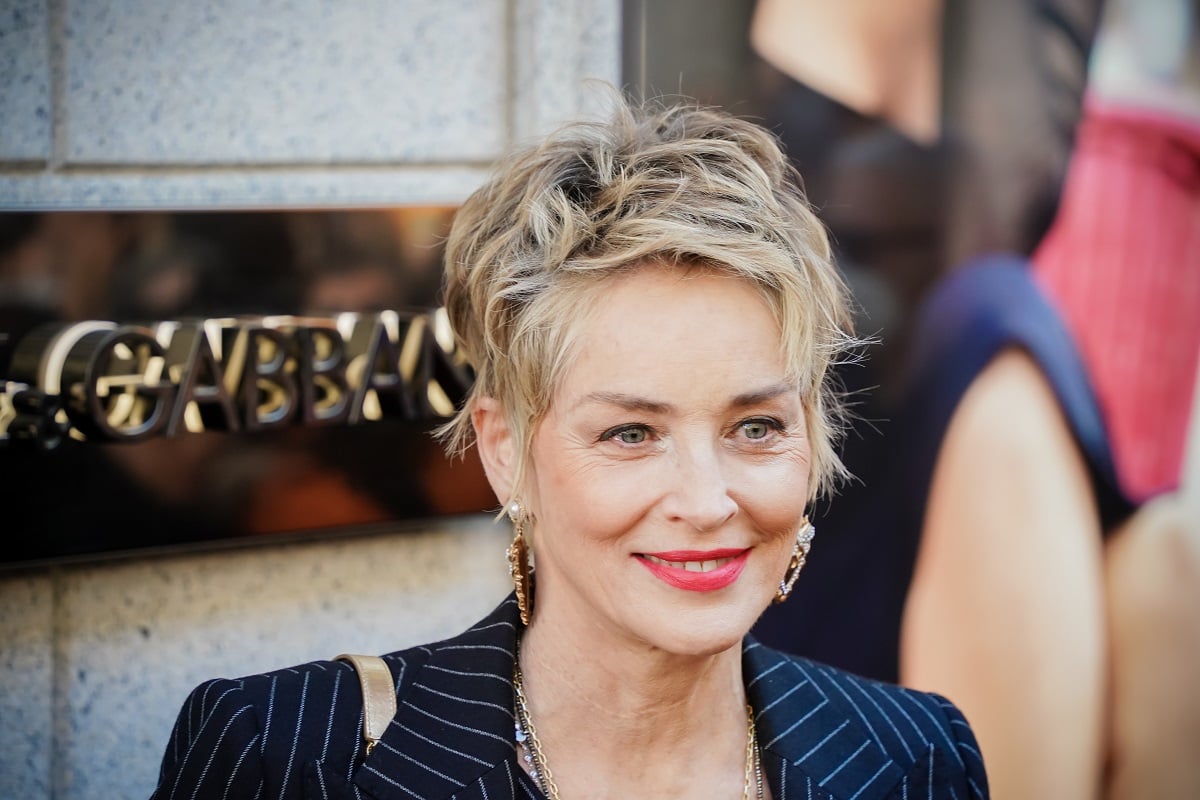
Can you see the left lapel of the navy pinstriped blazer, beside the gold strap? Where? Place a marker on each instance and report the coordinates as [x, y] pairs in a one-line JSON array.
[[453, 732]]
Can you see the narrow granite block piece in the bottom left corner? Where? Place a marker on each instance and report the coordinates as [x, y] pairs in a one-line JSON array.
[[27, 685]]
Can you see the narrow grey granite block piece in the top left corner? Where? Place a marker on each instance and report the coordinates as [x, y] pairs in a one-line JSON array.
[[26, 97]]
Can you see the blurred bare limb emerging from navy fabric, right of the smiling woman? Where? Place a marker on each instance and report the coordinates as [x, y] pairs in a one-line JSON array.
[[1006, 611]]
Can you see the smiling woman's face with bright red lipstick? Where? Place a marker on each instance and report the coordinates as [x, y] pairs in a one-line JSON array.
[[669, 478]]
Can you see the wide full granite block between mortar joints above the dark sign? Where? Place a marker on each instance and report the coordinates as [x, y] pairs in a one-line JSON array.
[[236, 82]]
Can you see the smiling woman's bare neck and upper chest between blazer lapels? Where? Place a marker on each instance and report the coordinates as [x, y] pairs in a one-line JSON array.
[[619, 718]]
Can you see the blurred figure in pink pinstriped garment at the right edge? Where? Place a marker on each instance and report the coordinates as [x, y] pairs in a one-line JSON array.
[[1123, 263]]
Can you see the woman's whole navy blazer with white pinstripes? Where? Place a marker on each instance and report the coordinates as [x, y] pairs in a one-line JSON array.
[[297, 733]]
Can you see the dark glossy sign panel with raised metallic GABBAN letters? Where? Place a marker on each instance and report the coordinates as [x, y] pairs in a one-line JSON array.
[[181, 378]]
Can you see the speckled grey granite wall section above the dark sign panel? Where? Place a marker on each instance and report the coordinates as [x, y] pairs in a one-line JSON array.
[[243, 104]]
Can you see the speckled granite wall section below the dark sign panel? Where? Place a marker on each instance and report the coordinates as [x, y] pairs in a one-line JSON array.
[[128, 641]]
